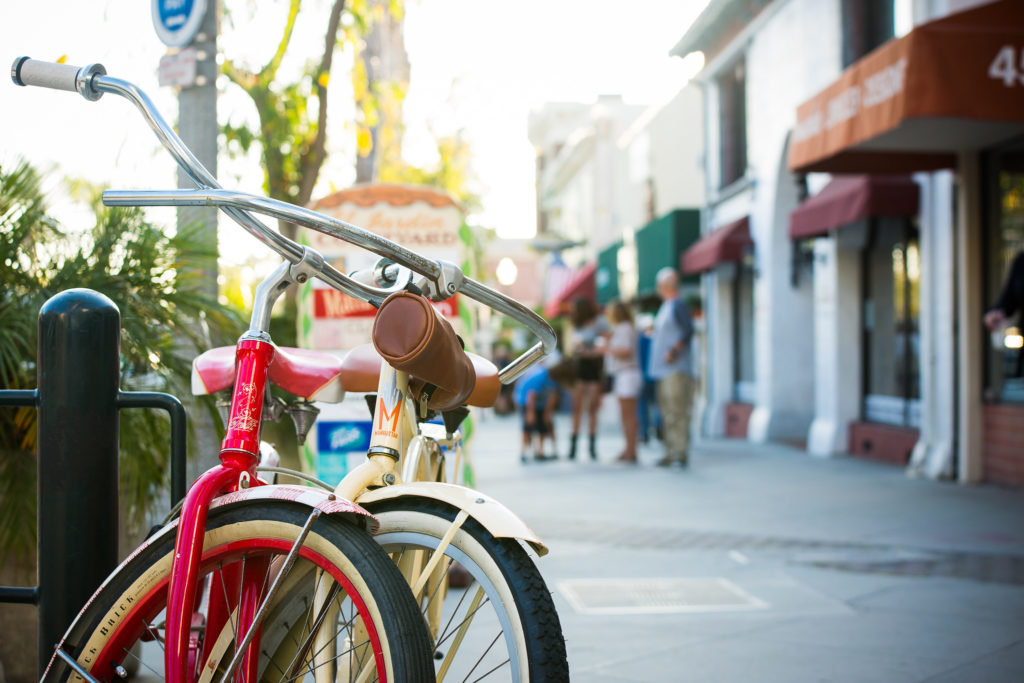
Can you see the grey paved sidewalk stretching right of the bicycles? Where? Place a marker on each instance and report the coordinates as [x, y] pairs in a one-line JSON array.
[[762, 564]]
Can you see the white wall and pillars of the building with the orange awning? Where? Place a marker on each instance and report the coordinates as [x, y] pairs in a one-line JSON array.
[[792, 53]]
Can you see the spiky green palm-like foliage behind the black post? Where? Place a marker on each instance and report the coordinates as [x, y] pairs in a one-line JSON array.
[[143, 271]]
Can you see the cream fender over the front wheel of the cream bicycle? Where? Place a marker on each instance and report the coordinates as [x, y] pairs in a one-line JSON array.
[[494, 517]]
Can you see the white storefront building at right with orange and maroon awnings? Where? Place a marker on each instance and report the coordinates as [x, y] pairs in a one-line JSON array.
[[870, 288]]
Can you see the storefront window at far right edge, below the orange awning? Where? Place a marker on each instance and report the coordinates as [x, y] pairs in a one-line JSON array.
[[1006, 240]]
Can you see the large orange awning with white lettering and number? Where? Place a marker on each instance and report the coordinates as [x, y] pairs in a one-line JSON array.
[[951, 86]]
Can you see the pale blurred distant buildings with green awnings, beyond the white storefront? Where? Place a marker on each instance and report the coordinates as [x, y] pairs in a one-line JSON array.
[[619, 189]]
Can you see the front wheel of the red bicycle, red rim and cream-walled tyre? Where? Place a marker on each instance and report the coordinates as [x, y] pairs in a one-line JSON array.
[[343, 612]]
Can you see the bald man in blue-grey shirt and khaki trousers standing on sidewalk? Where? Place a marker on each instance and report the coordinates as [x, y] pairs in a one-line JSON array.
[[671, 364]]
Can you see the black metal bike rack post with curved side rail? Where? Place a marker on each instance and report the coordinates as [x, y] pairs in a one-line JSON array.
[[78, 400]]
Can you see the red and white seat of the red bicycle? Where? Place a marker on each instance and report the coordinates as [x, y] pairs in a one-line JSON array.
[[313, 375]]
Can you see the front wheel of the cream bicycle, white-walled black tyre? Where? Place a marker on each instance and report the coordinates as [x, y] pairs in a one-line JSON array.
[[504, 625]]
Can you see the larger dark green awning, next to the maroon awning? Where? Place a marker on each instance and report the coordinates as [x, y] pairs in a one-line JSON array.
[[661, 243]]
